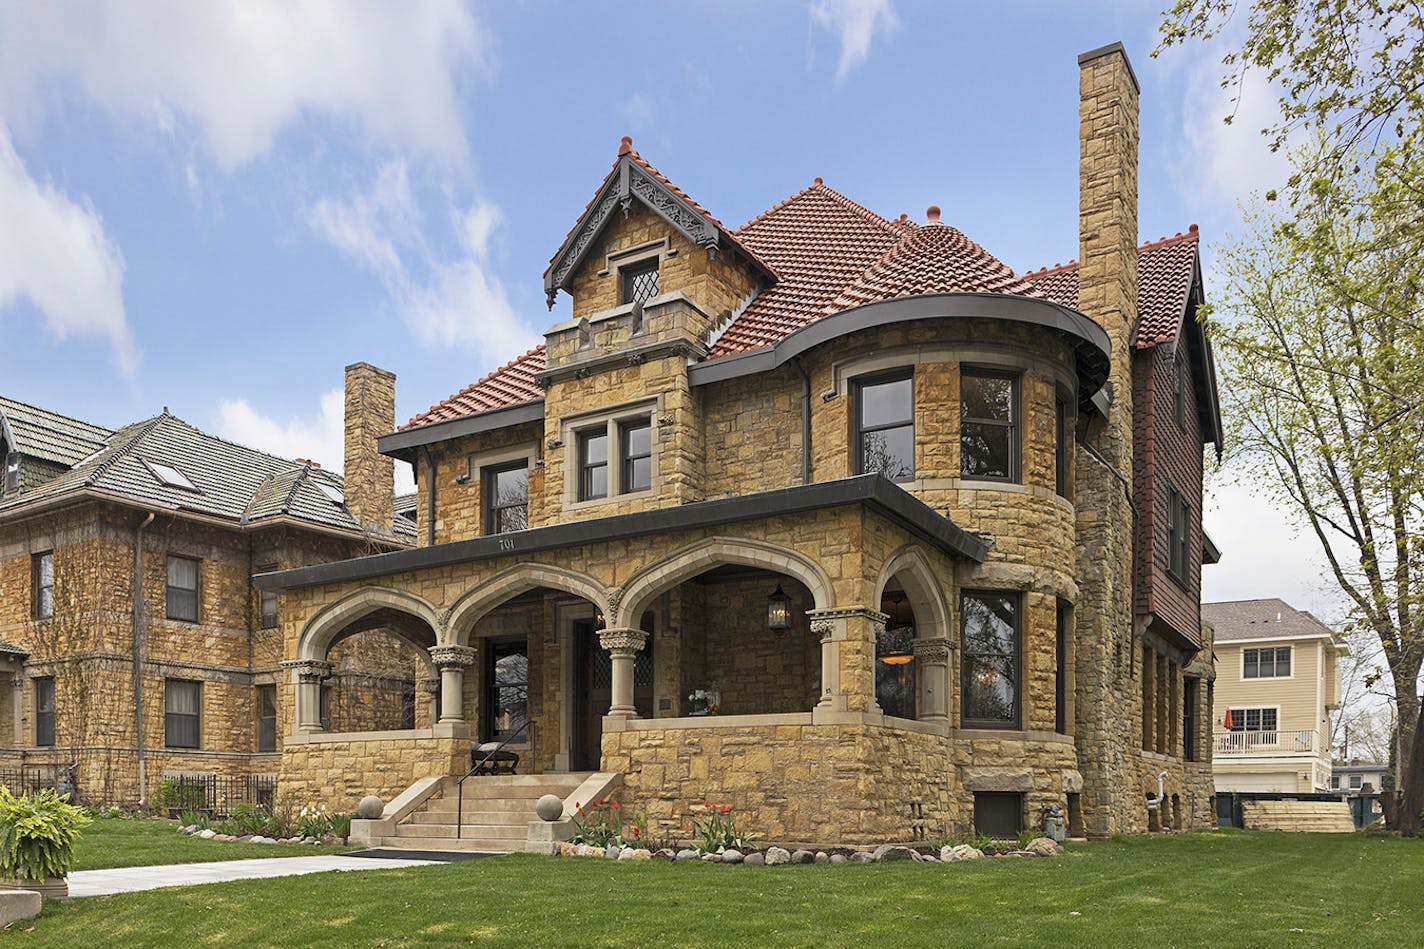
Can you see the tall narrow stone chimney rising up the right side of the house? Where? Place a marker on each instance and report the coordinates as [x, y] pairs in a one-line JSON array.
[[1109, 729]]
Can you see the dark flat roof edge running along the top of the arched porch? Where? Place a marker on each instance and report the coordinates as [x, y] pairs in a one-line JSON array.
[[874, 491]]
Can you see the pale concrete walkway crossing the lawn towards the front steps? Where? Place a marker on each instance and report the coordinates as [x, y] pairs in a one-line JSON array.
[[130, 880]]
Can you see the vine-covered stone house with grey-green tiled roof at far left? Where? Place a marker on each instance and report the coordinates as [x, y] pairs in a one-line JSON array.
[[180, 679]]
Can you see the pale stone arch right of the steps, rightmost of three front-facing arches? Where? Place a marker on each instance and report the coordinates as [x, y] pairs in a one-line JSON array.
[[717, 552]]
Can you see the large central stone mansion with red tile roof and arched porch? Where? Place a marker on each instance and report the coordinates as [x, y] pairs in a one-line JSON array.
[[831, 517]]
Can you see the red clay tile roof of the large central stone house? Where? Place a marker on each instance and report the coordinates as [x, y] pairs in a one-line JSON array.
[[831, 254]]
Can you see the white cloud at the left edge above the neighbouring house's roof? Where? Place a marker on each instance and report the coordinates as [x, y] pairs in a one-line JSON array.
[[56, 254]]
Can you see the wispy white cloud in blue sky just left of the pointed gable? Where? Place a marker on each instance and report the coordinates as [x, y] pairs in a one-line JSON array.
[[456, 301]]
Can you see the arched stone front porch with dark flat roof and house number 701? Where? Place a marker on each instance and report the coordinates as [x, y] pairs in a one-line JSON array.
[[780, 655]]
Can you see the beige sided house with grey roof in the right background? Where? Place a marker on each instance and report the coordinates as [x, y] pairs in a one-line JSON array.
[[1278, 680]]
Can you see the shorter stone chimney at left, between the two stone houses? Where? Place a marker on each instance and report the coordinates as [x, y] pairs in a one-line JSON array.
[[371, 477]]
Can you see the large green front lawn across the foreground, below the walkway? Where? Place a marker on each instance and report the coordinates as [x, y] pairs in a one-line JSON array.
[[1201, 890]]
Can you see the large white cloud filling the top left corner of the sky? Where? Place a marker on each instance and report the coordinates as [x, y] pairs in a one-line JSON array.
[[243, 71]]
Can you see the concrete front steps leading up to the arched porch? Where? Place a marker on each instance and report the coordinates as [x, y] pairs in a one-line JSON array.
[[496, 817]]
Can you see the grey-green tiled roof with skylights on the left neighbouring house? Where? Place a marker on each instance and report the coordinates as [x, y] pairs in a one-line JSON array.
[[230, 481]]
